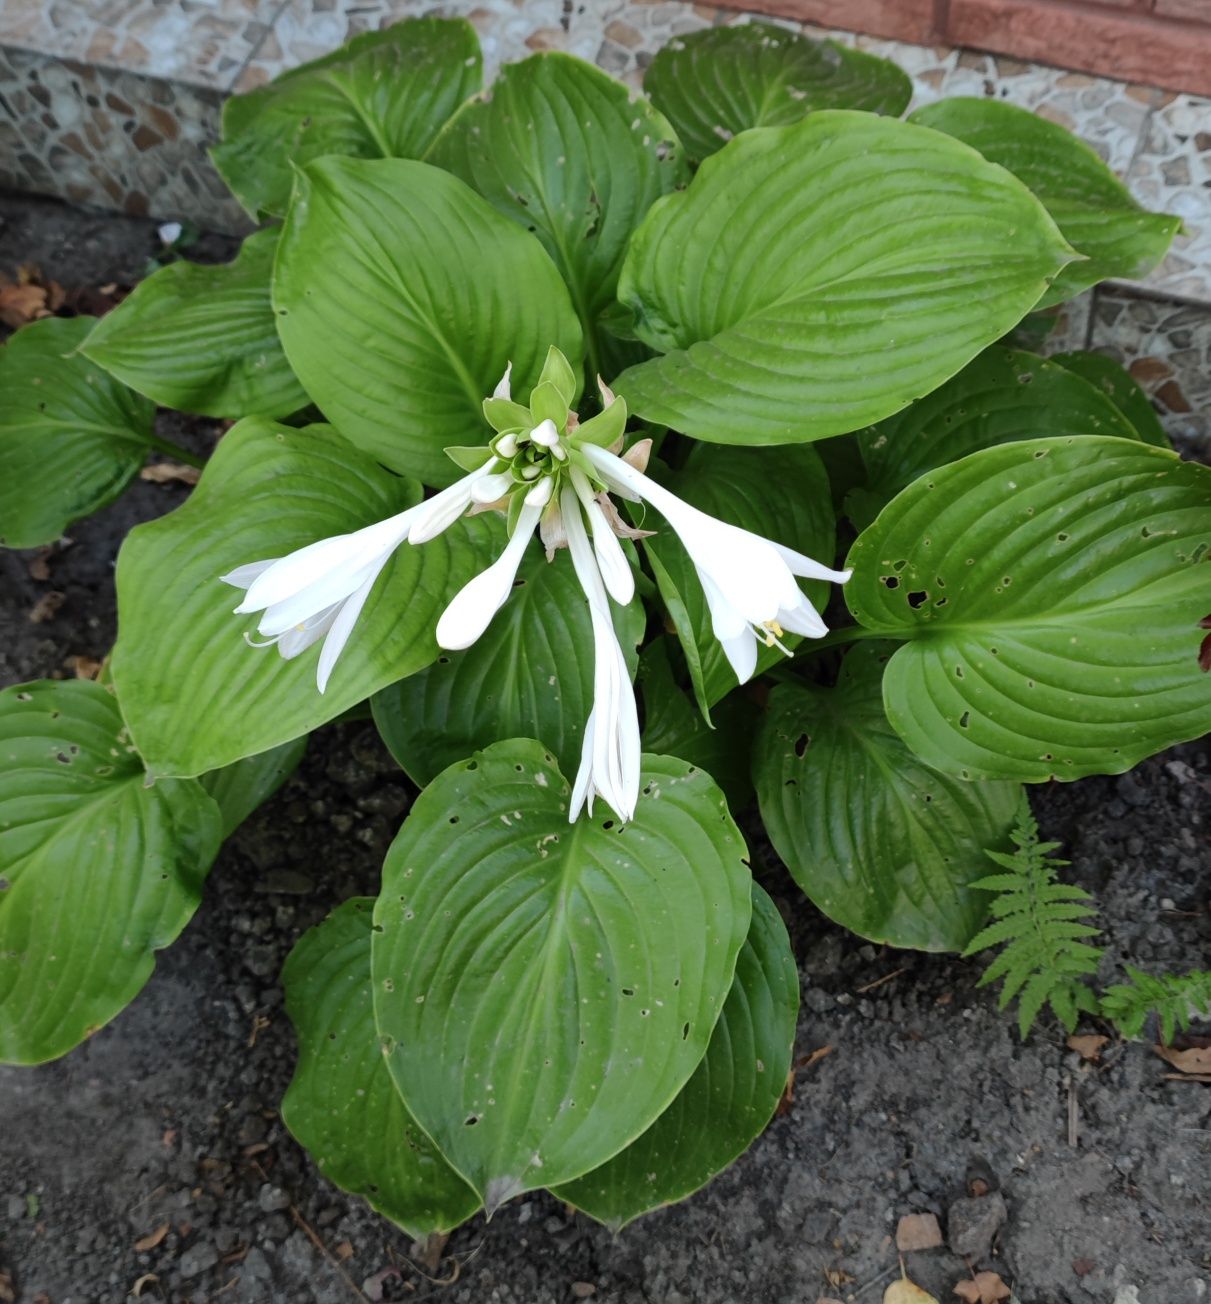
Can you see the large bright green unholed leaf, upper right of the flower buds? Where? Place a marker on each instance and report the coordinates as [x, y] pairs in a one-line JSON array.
[[821, 277]]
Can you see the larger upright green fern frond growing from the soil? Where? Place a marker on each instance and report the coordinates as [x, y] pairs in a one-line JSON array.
[[1040, 923]]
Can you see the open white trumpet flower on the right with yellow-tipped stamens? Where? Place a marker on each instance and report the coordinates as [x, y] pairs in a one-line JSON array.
[[750, 582]]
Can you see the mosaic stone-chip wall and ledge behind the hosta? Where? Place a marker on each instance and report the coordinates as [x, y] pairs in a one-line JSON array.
[[114, 102]]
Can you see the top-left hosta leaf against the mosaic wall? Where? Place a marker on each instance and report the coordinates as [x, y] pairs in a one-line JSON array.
[[385, 95]]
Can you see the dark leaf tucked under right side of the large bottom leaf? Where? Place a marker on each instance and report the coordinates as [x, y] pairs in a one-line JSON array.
[[728, 1103]]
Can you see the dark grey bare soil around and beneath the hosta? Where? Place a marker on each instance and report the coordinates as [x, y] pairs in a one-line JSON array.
[[165, 1126]]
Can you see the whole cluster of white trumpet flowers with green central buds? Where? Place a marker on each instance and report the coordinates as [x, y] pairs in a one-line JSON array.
[[552, 474]]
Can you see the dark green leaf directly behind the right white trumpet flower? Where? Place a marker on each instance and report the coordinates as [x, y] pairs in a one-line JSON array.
[[780, 494]]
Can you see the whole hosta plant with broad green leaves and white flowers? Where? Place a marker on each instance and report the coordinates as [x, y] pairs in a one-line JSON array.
[[641, 464]]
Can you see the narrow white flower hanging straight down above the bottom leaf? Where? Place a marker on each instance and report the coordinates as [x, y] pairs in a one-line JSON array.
[[611, 753]]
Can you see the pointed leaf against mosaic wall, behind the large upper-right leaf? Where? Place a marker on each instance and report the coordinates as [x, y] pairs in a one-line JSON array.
[[1092, 207]]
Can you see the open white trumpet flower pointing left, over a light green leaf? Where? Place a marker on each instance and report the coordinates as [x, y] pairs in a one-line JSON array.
[[319, 591]]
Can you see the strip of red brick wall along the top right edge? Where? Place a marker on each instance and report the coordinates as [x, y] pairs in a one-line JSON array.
[[1158, 42]]
